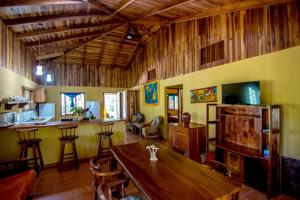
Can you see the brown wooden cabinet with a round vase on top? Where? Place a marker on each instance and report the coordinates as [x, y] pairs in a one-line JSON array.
[[189, 140]]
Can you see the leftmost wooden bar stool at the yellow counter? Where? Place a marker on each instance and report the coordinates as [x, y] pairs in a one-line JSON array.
[[27, 141]]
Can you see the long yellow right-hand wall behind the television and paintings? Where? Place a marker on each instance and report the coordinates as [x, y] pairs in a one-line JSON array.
[[279, 74]]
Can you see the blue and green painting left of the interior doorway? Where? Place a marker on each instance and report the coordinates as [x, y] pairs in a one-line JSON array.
[[151, 93]]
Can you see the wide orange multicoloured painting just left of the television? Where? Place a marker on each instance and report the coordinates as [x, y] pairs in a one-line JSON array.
[[204, 95]]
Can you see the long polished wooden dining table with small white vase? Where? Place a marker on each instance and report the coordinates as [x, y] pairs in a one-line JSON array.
[[173, 176]]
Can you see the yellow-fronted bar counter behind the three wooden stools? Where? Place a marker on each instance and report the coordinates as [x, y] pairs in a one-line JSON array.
[[87, 143]]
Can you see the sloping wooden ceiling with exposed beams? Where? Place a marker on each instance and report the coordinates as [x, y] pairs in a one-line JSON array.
[[93, 31]]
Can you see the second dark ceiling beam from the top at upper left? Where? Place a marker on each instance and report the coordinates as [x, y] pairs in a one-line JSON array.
[[41, 19]]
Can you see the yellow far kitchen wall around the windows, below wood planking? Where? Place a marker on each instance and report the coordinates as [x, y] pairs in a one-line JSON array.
[[91, 94]]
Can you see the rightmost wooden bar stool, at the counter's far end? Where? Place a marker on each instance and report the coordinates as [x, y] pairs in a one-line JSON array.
[[105, 133]]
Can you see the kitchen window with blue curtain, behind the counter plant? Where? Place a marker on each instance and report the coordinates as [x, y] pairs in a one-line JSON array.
[[69, 101]]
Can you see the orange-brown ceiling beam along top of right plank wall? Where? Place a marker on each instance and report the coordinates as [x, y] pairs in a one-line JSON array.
[[227, 8]]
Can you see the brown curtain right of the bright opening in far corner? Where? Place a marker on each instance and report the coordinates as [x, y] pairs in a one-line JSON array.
[[133, 103]]
